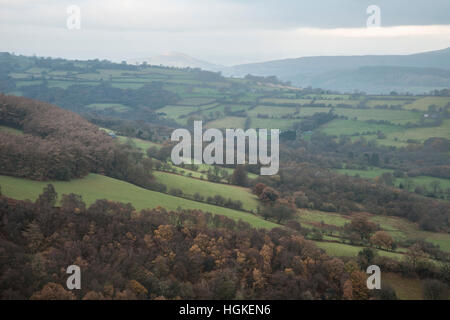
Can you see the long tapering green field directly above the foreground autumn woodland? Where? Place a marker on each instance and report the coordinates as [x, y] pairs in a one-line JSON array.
[[94, 187]]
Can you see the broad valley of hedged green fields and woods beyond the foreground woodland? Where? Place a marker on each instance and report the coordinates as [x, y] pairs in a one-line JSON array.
[[346, 158]]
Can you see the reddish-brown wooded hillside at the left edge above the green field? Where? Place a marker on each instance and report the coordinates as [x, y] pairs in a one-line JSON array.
[[60, 145]]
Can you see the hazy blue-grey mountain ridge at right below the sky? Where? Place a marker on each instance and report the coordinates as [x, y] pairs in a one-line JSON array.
[[372, 73]]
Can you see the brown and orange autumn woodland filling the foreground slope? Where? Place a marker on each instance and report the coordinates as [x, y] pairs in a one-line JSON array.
[[155, 254]]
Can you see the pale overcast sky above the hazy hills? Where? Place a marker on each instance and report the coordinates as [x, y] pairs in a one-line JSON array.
[[225, 32]]
